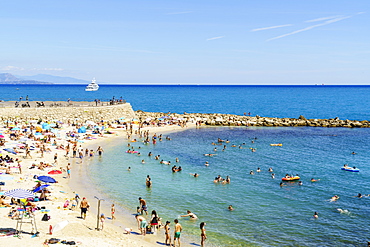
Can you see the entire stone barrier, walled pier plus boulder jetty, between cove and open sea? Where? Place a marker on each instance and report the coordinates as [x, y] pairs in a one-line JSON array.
[[89, 111]]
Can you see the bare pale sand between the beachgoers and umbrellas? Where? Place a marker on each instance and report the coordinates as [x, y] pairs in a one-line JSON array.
[[83, 232]]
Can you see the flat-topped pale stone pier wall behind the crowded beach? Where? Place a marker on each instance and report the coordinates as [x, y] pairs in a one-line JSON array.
[[80, 113]]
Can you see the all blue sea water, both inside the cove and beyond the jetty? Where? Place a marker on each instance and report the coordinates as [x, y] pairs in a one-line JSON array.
[[265, 214]]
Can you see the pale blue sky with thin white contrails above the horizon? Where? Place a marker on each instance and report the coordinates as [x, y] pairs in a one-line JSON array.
[[189, 42]]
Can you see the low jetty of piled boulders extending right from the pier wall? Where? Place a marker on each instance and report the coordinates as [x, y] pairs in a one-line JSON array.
[[236, 120]]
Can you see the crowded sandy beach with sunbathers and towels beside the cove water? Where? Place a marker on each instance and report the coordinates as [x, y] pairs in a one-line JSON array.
[[82, 232]]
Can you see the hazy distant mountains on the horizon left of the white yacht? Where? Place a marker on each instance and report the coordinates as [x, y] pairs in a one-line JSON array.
[[7, 78]]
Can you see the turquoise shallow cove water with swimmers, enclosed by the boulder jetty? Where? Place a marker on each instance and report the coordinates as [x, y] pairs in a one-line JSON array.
[[265, 214]]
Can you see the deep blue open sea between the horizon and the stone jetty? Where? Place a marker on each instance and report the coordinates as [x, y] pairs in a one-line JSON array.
[[345, 102]]
